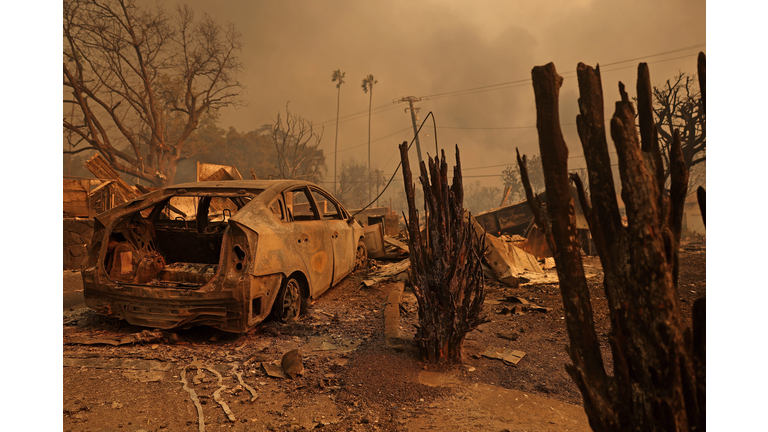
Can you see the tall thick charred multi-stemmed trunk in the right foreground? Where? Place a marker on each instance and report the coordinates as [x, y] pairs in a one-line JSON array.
[[655, 385]]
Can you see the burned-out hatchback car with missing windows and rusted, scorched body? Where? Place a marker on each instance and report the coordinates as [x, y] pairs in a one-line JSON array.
[[224, 254]]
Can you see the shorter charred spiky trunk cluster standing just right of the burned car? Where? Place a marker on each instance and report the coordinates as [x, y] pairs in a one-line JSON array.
[[446, 267]]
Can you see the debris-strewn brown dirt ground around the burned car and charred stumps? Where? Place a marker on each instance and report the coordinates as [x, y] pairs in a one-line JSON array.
[[351, 381]]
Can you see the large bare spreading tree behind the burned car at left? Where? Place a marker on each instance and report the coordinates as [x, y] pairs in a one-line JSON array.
[[139, 81]]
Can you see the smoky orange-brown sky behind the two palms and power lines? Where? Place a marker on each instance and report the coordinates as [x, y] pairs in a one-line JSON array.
[[434, 48]]
